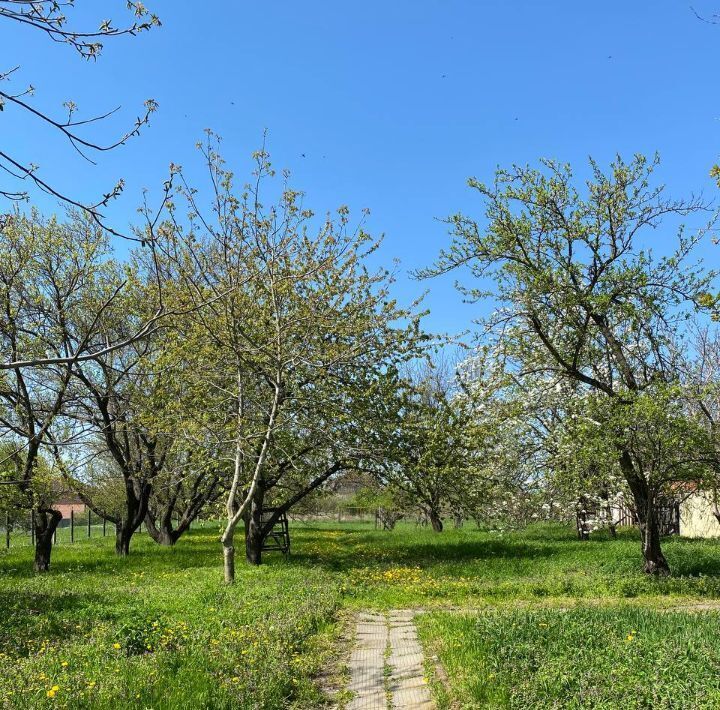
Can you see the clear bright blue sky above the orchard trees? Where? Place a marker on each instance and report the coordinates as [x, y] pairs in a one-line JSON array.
[[393, 103]]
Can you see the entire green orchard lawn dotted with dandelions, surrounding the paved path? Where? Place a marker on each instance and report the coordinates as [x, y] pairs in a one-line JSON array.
[[160, 630]]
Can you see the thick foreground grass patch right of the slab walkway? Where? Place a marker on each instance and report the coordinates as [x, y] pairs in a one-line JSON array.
[[580, 658]]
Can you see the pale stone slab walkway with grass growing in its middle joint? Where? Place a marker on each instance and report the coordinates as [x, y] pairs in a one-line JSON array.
[[386, 665]]
